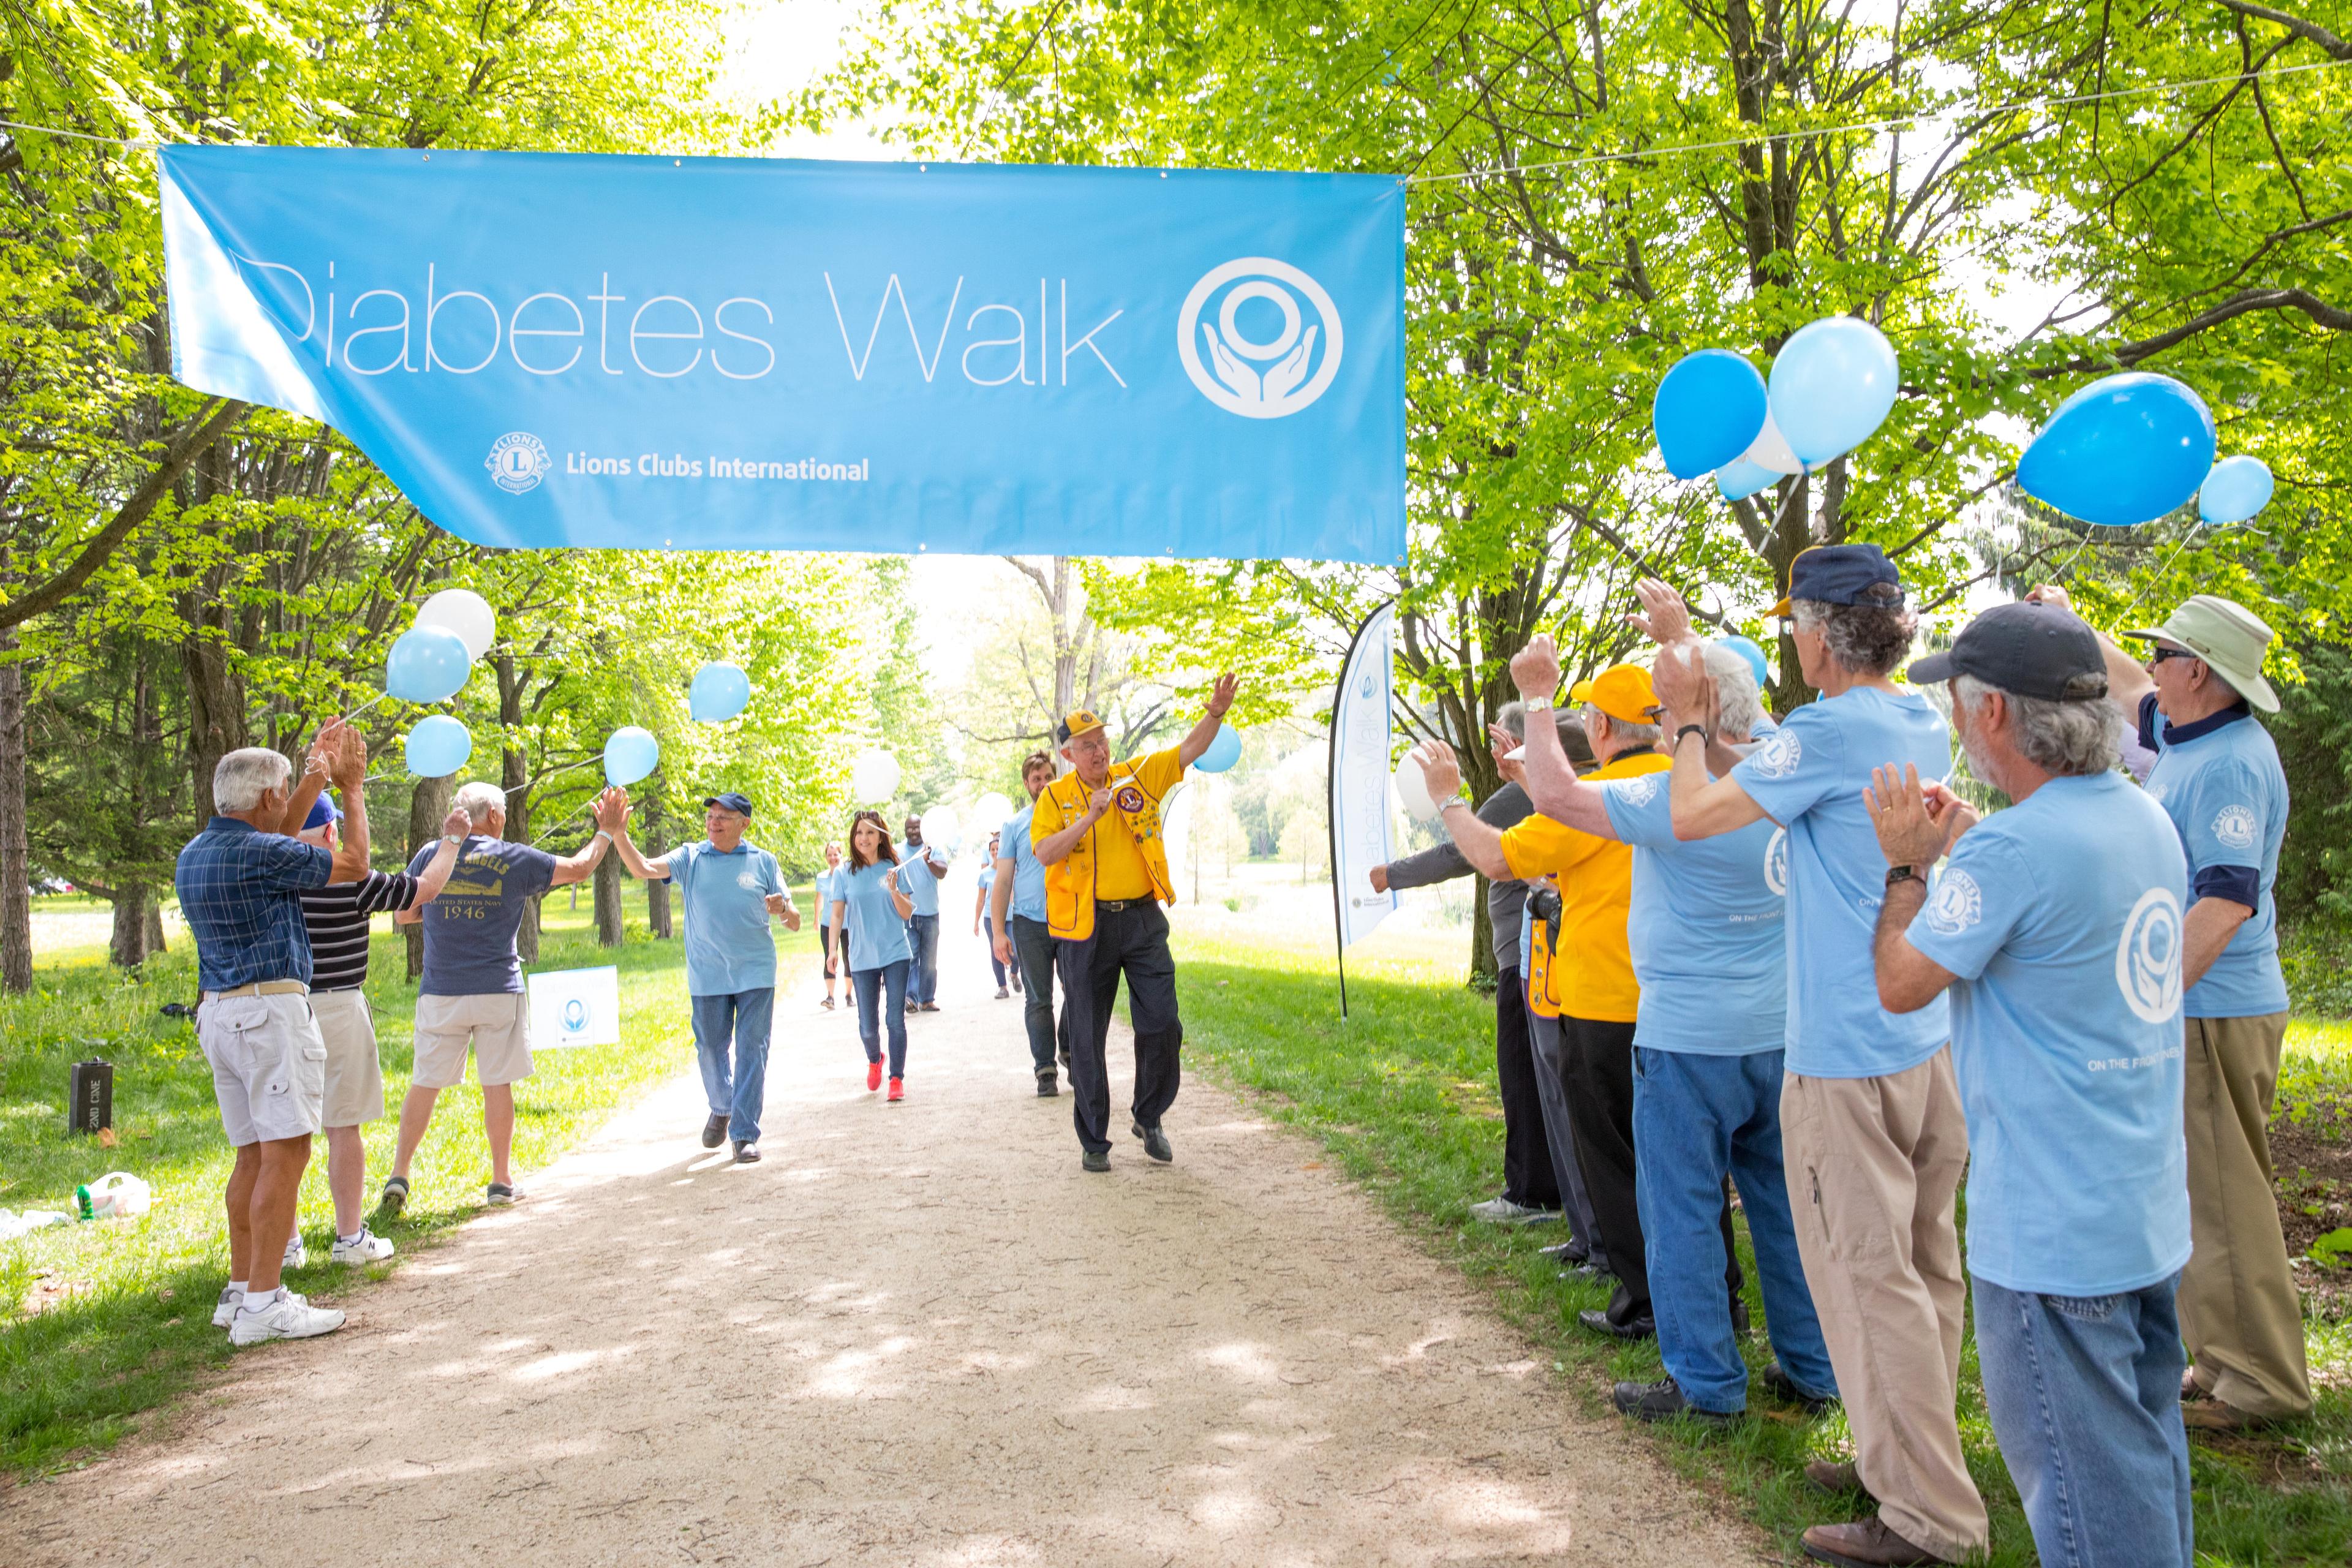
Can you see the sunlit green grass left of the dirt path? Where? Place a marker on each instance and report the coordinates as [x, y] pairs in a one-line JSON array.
[[126, 1306]]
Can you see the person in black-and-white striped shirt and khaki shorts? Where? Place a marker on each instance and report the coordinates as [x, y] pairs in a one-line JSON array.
[[338, 920]]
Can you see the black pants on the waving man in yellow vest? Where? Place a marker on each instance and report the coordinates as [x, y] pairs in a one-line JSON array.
[[1132, 942]]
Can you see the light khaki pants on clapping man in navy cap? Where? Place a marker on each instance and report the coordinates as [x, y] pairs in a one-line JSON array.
[[1873, 1167]]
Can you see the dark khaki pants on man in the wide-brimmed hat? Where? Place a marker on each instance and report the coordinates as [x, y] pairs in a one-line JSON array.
[[2240, 1311]]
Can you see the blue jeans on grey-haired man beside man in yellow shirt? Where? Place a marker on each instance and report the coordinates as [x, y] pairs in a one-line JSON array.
[[1695, 1123]]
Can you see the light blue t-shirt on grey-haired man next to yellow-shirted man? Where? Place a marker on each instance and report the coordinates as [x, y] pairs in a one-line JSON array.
[[1706, 927]]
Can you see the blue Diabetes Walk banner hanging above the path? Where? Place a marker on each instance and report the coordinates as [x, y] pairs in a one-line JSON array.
[[719, 354]]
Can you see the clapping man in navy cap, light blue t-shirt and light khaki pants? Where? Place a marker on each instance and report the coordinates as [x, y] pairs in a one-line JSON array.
[[1871, 1115]]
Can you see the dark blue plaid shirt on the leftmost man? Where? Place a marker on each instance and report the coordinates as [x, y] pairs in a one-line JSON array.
[[241, 894]]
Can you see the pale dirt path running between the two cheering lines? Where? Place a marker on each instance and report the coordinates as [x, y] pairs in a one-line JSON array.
[[916, 1336]]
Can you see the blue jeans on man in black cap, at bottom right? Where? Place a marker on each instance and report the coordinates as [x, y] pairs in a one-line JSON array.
[[2085, 1400]]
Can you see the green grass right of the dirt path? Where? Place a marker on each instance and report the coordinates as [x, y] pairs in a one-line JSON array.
[[1403, 1099]]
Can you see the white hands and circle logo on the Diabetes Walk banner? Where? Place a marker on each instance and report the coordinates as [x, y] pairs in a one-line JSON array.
[[1250, 377]]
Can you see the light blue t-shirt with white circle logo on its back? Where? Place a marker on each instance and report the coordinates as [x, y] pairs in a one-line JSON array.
[[2062, 918]]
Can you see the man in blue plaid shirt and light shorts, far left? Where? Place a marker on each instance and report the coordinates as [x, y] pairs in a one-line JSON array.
[[241, 887]]
